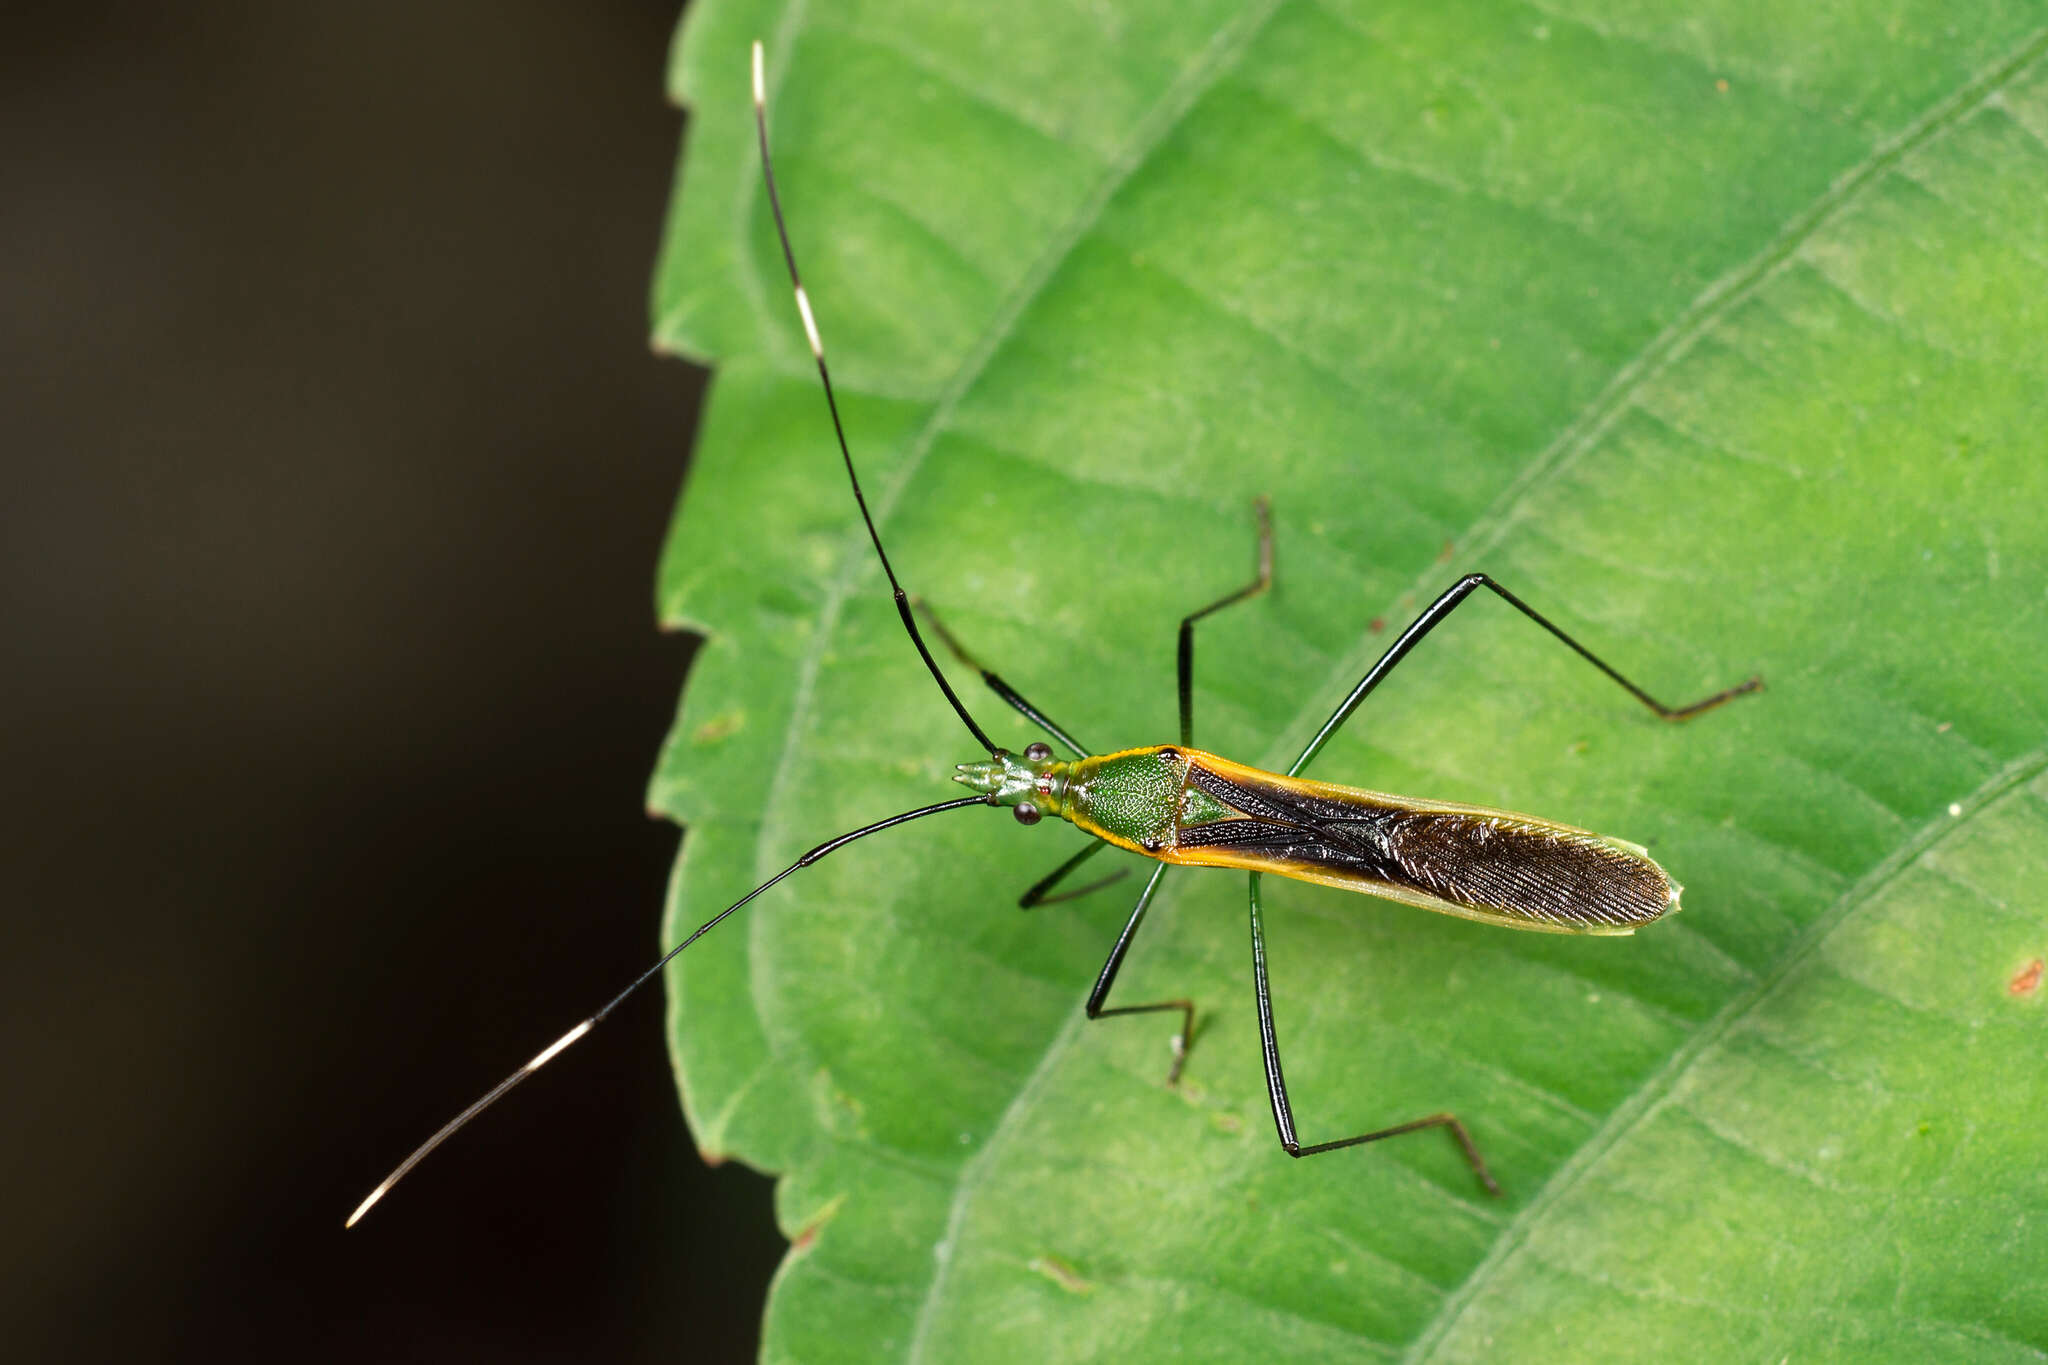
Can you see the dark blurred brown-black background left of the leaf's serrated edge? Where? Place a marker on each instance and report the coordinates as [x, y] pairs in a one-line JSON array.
[[337, 466]]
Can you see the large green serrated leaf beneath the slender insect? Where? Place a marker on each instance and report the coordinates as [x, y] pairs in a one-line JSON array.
[[1715, 335]]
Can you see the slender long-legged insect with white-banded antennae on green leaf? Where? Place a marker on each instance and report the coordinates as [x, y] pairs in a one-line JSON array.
[[1179, 805]]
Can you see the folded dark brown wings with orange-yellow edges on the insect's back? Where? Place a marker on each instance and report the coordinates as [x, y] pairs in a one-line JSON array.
[[1476, 863]]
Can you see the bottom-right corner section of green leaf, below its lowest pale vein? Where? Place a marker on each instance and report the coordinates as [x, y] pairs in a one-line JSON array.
[[1848, 1100]]
